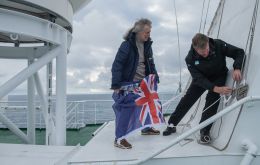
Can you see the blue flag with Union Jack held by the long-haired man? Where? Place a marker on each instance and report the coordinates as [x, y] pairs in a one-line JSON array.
[[137, 107]]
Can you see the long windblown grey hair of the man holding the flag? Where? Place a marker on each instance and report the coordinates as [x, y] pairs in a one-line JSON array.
[[138, 26]]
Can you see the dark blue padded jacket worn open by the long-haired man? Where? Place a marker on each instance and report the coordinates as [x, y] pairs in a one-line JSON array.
[[126, 61]]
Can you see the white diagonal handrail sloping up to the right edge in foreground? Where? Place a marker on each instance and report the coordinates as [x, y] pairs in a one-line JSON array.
[[197, 128]]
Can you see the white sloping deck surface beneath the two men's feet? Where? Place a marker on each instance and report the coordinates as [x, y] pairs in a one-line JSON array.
[[101, 148]]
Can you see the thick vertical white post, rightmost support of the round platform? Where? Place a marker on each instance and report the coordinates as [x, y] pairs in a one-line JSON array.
[[61, 70]]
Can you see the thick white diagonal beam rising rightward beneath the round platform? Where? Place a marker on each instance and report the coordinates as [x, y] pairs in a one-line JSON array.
[[27, 72]]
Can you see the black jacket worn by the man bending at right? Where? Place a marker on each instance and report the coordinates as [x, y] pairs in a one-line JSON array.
[[205, 71]]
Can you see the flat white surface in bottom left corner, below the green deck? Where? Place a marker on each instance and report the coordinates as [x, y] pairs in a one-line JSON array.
[[21, 154]]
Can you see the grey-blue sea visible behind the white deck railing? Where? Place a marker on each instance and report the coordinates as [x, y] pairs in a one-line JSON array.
[[82, 109]]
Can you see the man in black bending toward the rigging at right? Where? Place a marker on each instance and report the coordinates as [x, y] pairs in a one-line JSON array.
[[206, 62]]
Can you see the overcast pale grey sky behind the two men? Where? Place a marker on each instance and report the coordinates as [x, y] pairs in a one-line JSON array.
[[98, 30]]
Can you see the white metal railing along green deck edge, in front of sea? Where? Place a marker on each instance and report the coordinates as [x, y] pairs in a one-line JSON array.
[[79, 113]]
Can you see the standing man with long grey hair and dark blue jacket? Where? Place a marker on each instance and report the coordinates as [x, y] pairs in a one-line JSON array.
[[133, 62]]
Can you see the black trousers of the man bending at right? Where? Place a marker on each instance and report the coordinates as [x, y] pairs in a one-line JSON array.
[[192, 95]]
